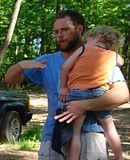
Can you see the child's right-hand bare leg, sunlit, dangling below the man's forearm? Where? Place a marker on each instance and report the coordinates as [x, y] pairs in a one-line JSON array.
[[112, 137]]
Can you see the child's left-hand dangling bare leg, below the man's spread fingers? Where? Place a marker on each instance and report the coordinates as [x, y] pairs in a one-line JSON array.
[[75, 144]]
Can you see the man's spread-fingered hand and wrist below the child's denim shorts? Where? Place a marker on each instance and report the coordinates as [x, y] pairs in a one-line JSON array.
[[74, 110]]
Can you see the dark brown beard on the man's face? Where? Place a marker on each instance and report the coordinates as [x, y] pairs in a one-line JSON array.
[[71, 45]]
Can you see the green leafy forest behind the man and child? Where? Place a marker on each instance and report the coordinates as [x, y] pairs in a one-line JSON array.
[[33, 33]]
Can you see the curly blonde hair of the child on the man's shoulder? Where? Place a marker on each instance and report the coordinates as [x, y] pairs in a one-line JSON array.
[[109, 36]]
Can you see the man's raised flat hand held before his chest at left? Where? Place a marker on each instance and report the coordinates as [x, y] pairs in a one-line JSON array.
[[32, 64]]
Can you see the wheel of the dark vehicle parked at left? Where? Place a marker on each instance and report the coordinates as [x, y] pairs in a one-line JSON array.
[[12, 126]]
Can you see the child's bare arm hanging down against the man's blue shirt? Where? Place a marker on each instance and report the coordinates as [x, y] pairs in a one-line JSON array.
[[65, 71]]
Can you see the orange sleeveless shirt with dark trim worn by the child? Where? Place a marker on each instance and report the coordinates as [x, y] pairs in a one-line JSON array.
[[92, 68]]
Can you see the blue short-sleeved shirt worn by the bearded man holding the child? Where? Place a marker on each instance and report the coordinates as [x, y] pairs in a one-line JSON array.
[[48, 78]]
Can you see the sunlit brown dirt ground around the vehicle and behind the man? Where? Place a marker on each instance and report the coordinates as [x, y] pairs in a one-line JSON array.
[[121, 117]]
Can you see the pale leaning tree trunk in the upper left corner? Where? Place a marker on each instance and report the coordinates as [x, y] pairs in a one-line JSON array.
[[9, 35]]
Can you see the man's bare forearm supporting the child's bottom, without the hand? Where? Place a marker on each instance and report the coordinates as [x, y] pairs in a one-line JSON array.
[[117, 95]]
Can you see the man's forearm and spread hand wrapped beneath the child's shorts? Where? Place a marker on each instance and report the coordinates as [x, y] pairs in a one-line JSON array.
[[117, 95]]
